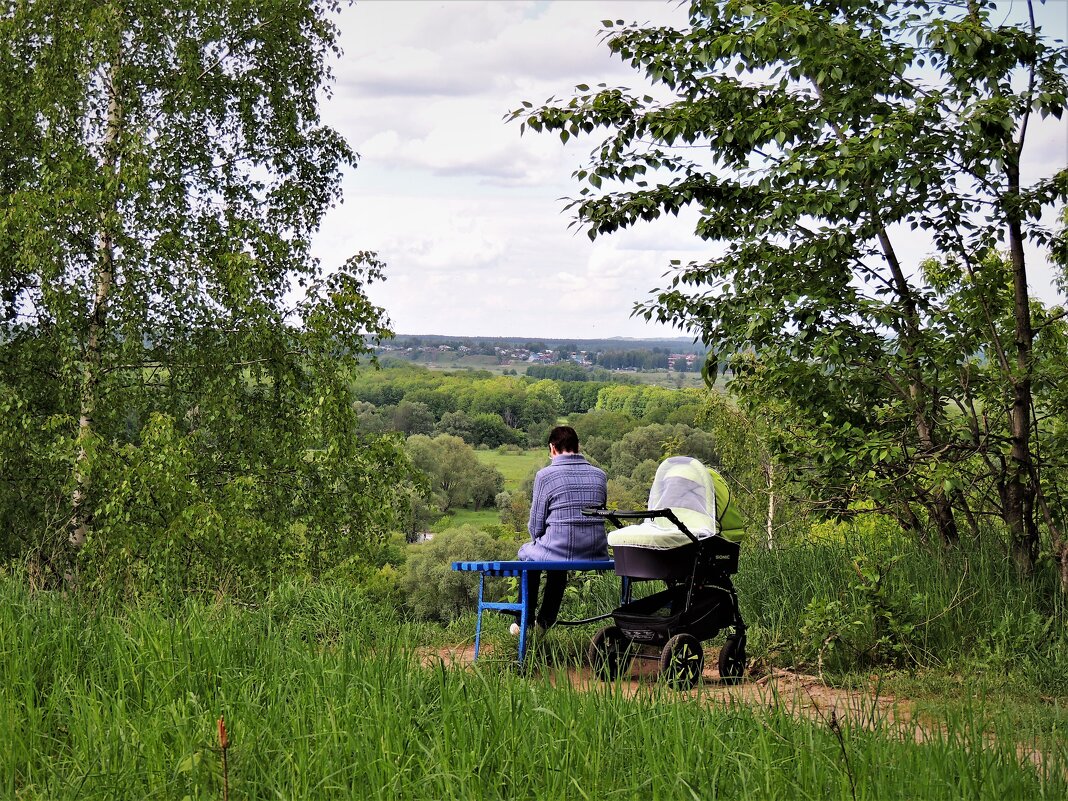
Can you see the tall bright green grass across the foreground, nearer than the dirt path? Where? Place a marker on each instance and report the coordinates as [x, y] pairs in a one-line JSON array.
[[327, 698]]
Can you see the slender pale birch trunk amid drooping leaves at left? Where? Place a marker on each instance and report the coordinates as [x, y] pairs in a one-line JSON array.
[[104, 279]]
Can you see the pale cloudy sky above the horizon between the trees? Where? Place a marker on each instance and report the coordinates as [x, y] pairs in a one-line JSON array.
[[467, 213]]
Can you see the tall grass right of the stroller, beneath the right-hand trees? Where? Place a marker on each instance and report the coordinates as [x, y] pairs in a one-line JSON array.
[[972, 611]]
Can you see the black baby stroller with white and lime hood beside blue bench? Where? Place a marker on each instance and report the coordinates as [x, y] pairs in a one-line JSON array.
[[689, 540]]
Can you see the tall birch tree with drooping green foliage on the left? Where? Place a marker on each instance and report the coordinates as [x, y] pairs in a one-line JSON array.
[[171, 356]]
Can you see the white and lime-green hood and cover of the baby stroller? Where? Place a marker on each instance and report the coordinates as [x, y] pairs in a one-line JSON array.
[[698, 496]]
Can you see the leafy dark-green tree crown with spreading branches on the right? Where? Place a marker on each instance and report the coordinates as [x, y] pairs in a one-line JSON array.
[[811, 139]]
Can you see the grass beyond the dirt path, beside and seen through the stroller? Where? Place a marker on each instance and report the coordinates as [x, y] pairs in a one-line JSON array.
[[987, 648]]
